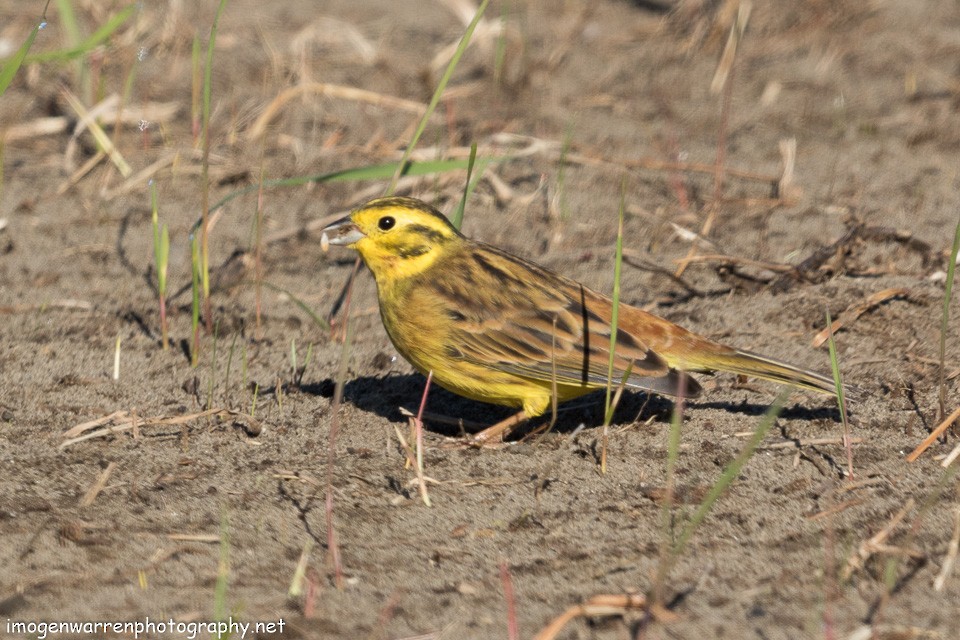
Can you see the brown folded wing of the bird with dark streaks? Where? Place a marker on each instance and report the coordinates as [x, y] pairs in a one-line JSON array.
[[538, 325]]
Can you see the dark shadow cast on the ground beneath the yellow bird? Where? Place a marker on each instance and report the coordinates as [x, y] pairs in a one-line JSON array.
[[386, 395]]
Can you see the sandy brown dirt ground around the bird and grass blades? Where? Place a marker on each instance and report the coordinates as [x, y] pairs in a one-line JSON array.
[[588, 100]]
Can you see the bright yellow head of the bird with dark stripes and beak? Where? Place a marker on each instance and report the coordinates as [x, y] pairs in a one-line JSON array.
[[396, 237]]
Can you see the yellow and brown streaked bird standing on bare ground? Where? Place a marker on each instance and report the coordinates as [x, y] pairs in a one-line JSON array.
[[497, 328]]
